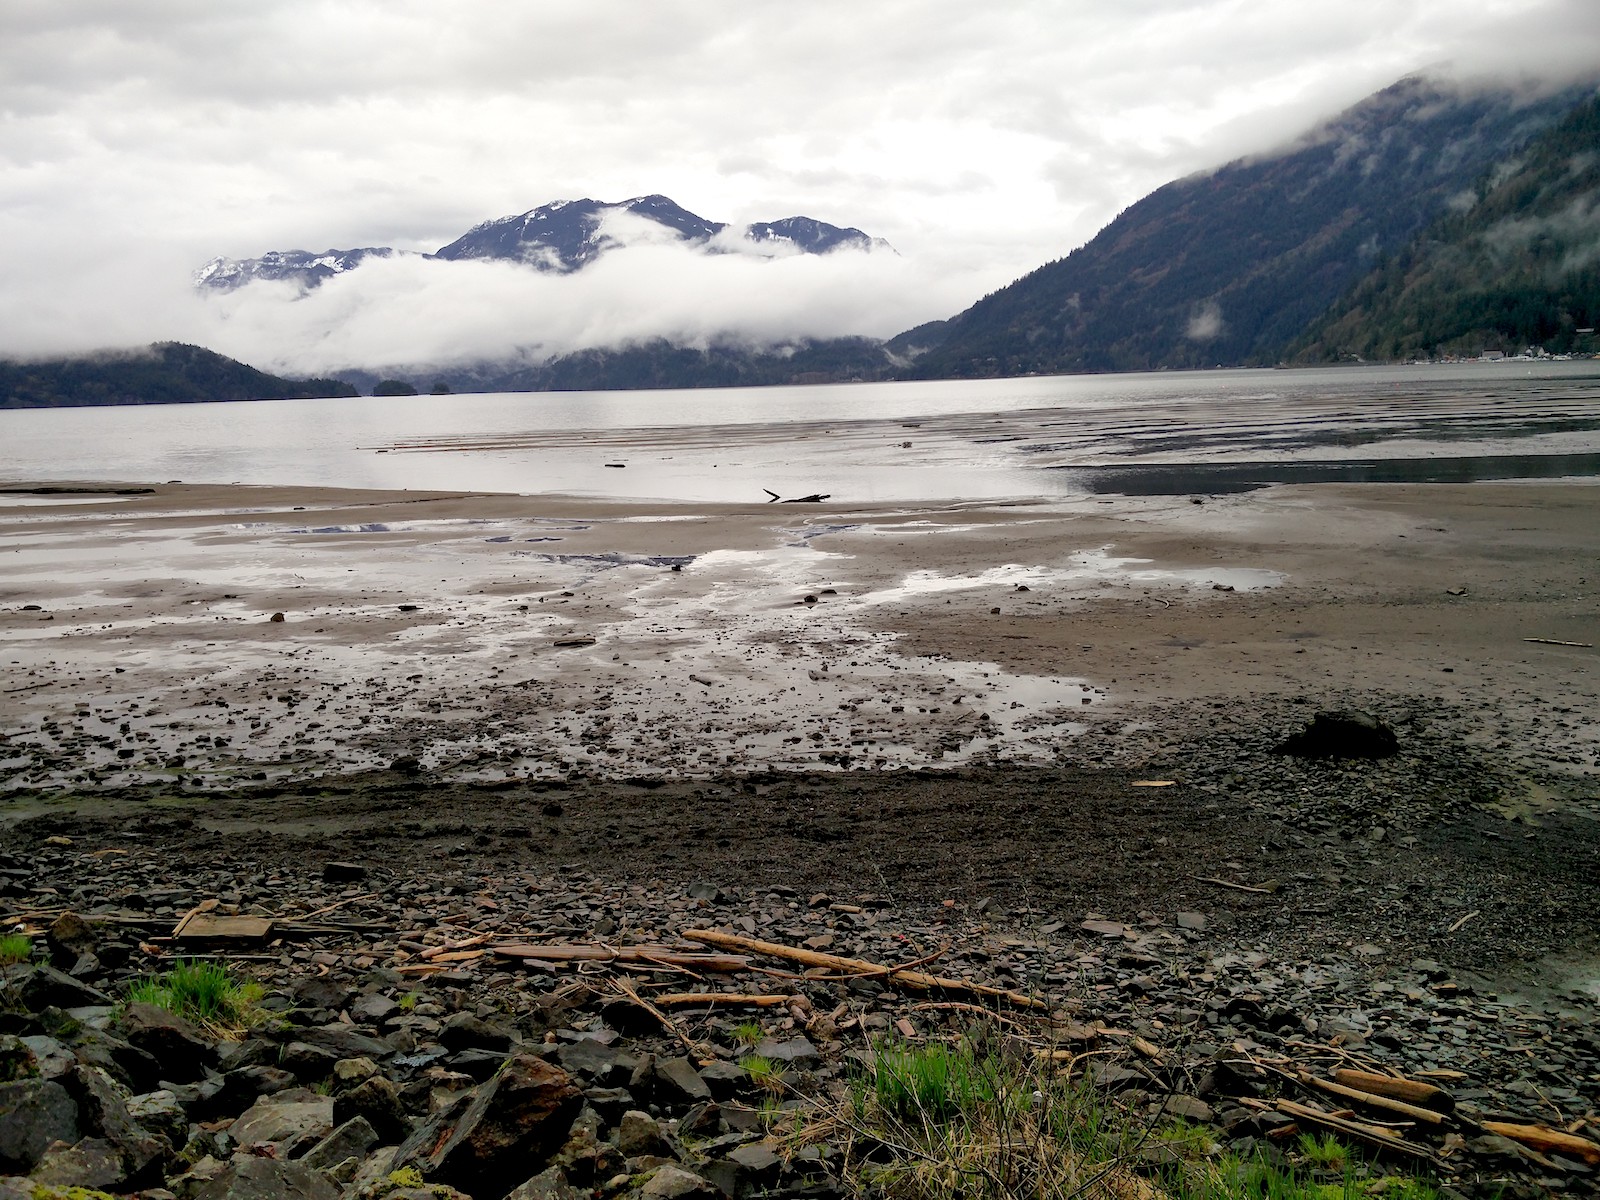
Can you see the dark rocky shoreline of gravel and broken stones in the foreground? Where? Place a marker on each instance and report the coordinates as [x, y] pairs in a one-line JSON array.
[[1202, 946]]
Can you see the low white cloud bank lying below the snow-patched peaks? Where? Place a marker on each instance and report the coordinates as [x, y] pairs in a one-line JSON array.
[[414, 313]]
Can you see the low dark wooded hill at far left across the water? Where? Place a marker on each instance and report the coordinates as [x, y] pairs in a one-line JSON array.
[[166, 374]]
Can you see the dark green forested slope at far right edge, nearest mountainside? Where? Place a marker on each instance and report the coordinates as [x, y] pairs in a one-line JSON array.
[[1511, 265]]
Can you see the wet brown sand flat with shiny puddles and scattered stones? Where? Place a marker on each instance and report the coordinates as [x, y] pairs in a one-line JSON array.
[[511, 638]]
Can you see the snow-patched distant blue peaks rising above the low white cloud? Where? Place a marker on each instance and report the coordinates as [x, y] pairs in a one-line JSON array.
[[562, 238]]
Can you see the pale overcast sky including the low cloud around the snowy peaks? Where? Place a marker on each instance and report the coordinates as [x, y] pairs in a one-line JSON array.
[[138, 138]]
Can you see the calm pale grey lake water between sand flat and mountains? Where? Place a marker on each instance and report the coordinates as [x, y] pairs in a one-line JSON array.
[[860, 442]]
